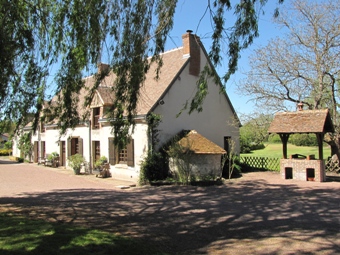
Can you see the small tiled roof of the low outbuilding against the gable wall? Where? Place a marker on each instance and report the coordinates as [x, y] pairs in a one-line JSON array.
[[199, 144]]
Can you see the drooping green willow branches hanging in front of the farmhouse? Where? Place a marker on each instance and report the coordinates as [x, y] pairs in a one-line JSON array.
[[40, 38]]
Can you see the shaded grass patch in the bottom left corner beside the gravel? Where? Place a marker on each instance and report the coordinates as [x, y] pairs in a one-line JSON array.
[[23, 236]]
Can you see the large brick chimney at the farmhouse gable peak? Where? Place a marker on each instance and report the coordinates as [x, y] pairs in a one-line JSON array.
[[191, 48]]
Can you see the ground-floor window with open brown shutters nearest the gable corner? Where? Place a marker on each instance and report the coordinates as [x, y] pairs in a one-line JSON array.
[[124, 156]]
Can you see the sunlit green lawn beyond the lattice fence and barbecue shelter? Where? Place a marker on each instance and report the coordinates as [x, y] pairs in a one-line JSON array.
[[274, 150]]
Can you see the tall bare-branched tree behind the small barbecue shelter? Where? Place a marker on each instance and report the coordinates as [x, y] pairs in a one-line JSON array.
[[302, 65]]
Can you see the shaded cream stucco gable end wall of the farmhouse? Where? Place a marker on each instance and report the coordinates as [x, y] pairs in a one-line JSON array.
[[215, 121]]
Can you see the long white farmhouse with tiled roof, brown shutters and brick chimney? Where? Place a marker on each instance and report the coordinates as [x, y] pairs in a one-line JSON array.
[[166, 96]]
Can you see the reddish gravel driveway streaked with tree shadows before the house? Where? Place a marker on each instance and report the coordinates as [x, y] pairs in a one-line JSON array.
[[259, 213]]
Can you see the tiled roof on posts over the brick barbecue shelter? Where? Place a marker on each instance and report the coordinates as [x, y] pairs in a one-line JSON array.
[[307, 121]]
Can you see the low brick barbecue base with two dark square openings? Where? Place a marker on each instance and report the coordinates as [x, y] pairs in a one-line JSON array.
[[303, 169]]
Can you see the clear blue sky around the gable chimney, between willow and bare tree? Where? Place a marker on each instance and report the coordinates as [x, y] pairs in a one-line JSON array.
[[188, 15]]
